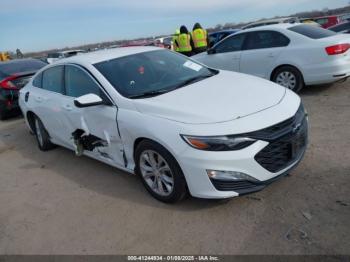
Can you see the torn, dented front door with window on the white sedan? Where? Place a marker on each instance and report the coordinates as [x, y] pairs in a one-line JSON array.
[[92, 130]]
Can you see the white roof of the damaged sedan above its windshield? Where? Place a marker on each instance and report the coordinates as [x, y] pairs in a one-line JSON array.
[[103, 55]]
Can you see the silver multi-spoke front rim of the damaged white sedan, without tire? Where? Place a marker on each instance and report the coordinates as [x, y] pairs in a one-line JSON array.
[[156, 172]]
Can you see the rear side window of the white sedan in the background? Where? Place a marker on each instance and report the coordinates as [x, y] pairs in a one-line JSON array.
[[266, 39]]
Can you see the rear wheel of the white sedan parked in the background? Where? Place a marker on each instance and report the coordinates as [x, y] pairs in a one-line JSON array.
[[291, 73]]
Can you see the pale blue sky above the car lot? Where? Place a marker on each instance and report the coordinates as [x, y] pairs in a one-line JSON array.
[[35, 25]]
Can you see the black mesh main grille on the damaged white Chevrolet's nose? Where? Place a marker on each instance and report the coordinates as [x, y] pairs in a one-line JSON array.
[[286, 144]]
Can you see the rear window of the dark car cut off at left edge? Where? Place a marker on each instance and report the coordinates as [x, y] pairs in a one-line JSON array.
[[20, 66]]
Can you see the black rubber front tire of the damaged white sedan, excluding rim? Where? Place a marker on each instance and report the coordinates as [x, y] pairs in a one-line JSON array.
[[179, 189]]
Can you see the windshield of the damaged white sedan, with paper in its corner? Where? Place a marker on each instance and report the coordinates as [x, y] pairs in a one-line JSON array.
[[152, 73]]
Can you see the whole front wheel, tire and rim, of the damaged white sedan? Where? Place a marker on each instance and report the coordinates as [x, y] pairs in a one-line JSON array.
[[160, 172]]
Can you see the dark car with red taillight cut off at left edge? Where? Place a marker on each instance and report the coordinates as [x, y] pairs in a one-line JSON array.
[[14, 75]]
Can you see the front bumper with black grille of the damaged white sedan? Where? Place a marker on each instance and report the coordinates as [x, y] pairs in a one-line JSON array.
[[279, 149]]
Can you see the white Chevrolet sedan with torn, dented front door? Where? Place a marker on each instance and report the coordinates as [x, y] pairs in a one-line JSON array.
[[179, 125]]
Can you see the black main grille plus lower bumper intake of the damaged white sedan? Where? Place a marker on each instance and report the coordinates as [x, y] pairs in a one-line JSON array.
[[287, 143]]
